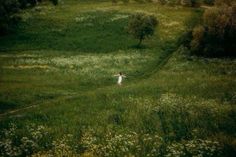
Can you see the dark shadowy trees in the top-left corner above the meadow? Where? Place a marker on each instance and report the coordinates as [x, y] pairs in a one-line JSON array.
[[9, 10]]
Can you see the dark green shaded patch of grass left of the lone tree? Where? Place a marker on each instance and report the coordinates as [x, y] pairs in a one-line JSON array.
[[96, 32]]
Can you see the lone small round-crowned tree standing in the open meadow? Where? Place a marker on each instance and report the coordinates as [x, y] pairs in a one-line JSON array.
[[141, 26]]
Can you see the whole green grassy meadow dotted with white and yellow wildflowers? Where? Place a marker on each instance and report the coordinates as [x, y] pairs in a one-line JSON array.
[[58, 95]]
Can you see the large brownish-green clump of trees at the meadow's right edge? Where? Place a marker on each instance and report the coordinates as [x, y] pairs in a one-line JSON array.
[[215, 34]]
